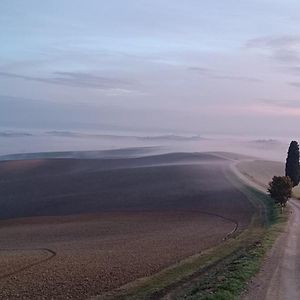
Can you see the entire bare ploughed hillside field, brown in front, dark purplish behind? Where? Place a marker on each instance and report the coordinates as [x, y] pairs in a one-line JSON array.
[[73, 228]]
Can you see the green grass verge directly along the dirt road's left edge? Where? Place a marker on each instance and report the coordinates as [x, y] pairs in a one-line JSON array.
[[228, 281]]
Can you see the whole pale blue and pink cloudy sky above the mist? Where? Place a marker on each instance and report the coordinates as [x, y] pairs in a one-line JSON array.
[[205, 67]]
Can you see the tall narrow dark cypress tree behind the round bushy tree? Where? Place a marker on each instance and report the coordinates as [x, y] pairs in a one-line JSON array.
[[292, 168]]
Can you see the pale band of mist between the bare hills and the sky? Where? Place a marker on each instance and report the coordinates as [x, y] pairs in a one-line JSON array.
[[33, 141]]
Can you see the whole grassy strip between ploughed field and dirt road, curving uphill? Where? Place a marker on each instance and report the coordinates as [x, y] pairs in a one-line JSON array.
[[221, 272]]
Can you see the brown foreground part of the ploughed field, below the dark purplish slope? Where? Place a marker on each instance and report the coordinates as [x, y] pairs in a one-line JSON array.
[[99, 252]]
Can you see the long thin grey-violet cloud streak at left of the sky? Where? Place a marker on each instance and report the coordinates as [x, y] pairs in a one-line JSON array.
[[76, 79]]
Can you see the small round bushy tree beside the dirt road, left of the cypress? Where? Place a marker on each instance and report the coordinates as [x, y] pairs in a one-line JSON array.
[[280, 189]]
